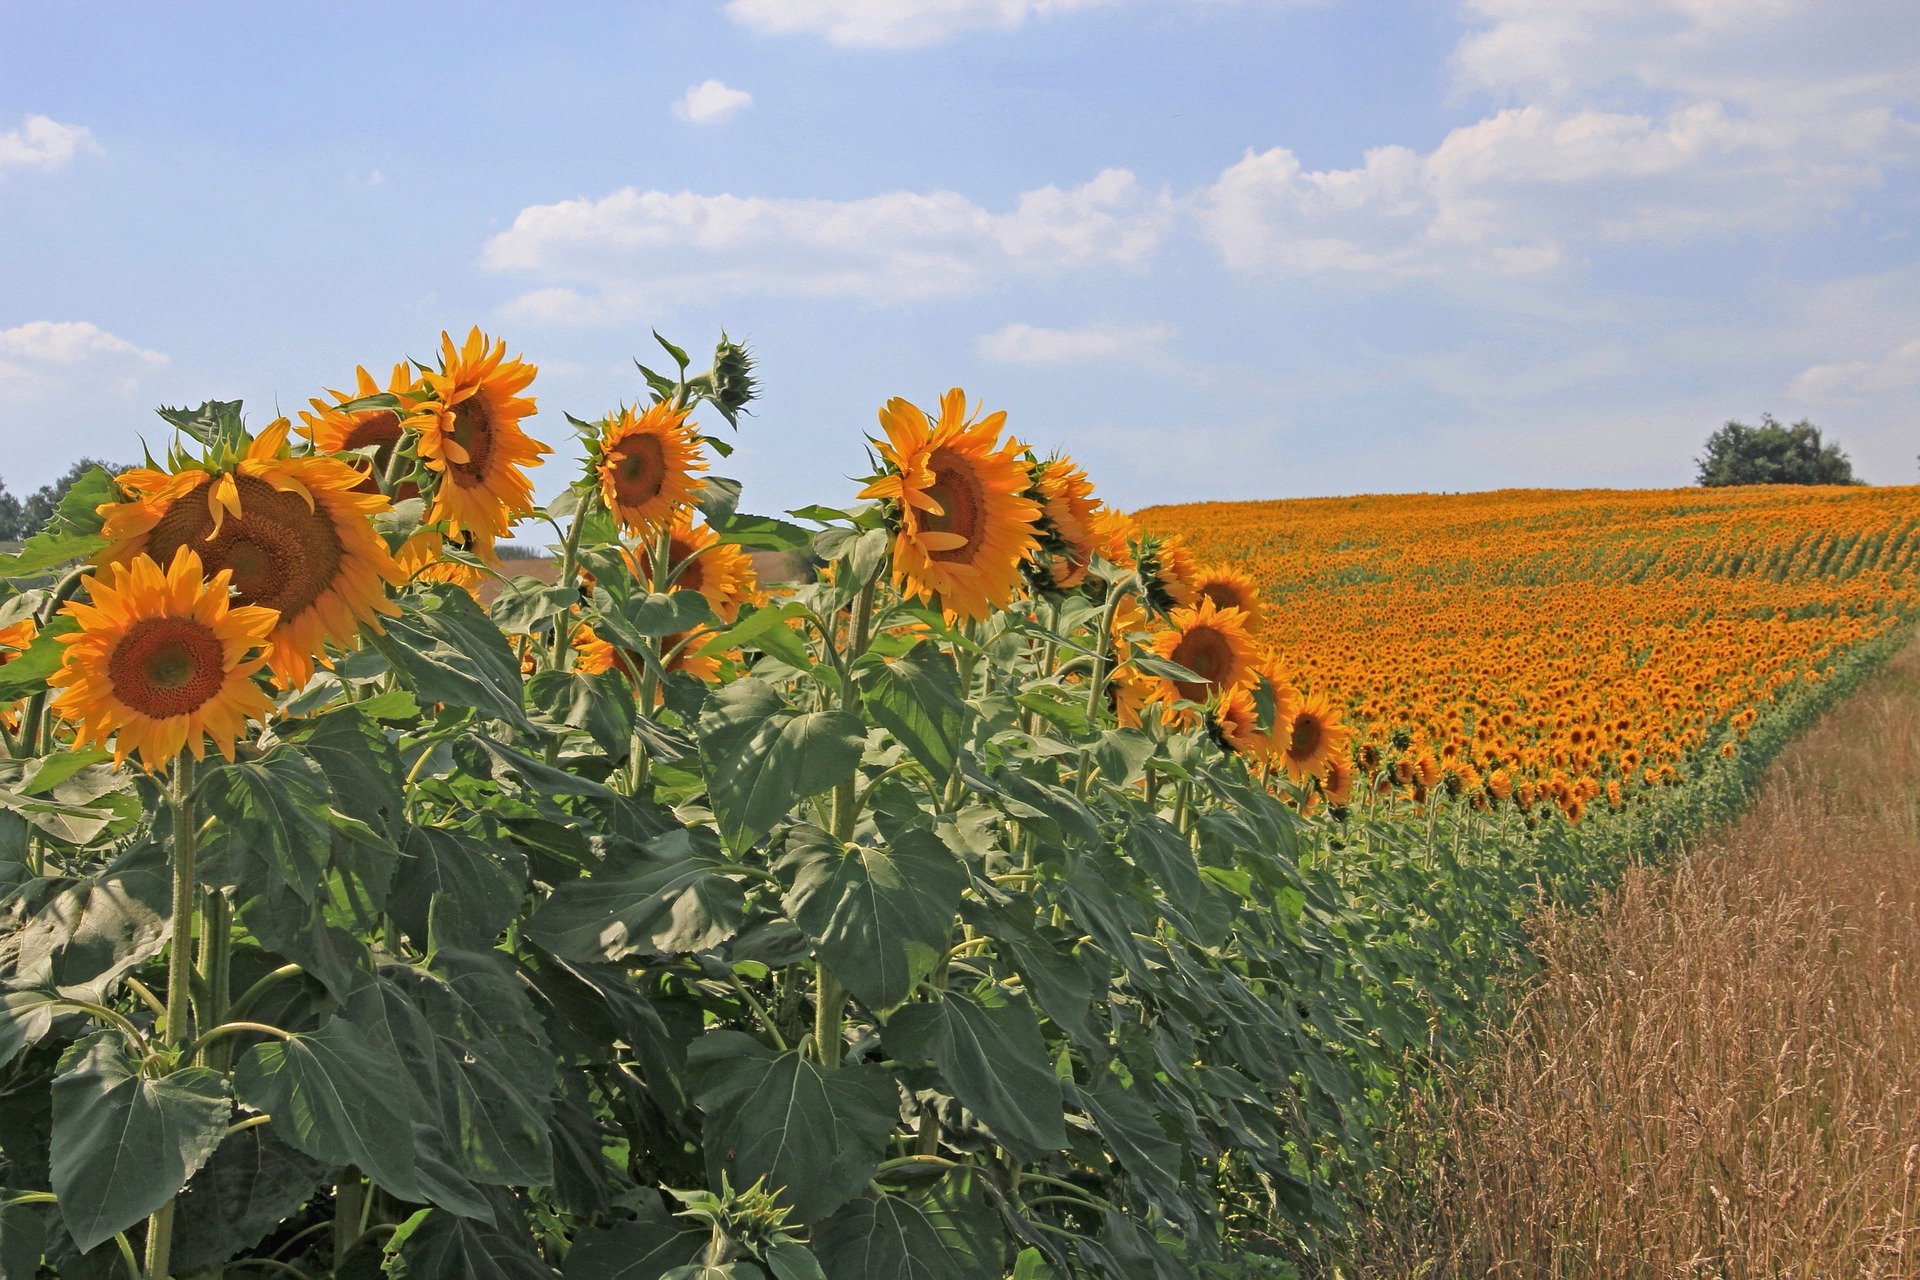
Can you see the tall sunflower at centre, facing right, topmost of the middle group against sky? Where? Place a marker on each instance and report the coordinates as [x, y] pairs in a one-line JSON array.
[[961, 508]]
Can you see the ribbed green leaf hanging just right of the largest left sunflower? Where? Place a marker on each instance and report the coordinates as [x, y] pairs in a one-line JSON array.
[[452, 653]]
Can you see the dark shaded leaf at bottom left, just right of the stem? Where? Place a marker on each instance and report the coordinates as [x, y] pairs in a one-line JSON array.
[[251, 1187]]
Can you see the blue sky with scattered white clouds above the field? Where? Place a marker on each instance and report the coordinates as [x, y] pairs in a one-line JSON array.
[[1212, 249]]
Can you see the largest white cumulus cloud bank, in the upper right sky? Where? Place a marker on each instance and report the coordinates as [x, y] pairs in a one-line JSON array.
[[1644, 120]]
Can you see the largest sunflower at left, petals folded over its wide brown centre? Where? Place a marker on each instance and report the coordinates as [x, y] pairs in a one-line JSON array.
[[295, 536]]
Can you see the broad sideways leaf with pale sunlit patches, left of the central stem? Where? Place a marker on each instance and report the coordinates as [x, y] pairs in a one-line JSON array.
[[656, 909]]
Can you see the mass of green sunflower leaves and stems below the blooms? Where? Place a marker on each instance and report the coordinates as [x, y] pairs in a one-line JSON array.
[[888, 955]]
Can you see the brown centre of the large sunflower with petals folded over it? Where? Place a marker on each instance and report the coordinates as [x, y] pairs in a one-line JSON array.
[[283, 554]]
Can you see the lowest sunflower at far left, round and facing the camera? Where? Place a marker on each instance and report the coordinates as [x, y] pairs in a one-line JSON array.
[[162, 661]]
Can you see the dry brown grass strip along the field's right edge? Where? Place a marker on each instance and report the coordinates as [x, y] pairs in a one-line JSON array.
[[1719, 1074]]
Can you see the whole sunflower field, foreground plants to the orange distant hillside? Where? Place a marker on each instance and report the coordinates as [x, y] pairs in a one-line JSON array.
[[1019, 895]]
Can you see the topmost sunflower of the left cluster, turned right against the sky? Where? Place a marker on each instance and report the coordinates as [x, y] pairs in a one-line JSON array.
[[469, 437]]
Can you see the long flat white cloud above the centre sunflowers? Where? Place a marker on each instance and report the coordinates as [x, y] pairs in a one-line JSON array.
[[613, 256]]
